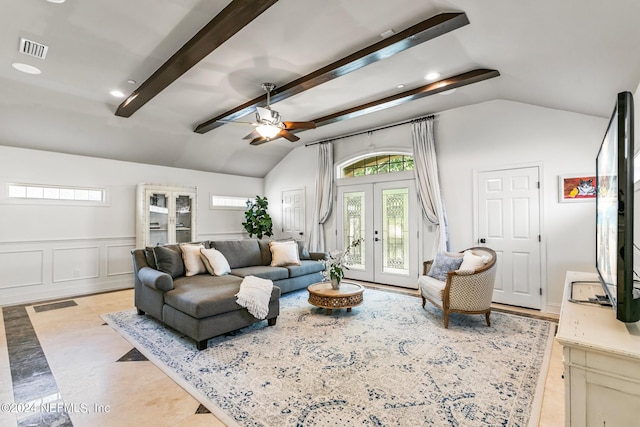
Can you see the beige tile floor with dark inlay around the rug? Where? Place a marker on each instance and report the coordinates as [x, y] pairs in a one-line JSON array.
[[62, 357]]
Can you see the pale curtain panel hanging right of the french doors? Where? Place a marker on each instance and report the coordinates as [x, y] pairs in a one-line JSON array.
[[427, 182]]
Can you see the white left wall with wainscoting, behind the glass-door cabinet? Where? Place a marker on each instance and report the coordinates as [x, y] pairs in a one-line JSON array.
[[56, 251]]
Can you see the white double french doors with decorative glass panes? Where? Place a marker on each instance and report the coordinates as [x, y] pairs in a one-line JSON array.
[[384, 214]]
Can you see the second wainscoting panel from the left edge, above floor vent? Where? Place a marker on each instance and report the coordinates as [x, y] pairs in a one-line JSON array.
[[76, 264]]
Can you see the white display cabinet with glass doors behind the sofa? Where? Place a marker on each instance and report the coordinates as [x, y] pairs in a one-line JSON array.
[[165, 215]]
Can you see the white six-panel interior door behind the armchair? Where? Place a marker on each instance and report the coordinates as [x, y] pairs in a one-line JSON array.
[[508, 215]]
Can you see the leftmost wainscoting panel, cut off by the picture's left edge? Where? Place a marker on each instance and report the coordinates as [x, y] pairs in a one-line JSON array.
[[21, 268]]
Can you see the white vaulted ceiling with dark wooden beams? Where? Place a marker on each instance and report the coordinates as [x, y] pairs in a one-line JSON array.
[[572, 55]]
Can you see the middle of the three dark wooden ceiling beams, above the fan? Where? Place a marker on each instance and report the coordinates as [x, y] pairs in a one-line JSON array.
[[415, 35]]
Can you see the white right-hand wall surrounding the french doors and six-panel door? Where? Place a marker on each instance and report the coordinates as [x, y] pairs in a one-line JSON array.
[[484, 136]]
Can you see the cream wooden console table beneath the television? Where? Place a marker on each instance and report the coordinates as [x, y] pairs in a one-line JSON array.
[[601, 362]]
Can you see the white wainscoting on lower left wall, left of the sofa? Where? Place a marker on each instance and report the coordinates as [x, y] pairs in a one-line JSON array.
[[32, 271]]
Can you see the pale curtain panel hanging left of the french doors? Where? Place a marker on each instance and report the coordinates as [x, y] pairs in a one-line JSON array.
[[324, 196]]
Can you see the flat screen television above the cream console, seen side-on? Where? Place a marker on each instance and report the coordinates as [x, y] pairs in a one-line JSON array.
[[614, 212]]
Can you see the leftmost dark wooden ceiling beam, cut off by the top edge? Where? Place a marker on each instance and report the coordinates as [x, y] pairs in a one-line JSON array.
[[228, 22]]
